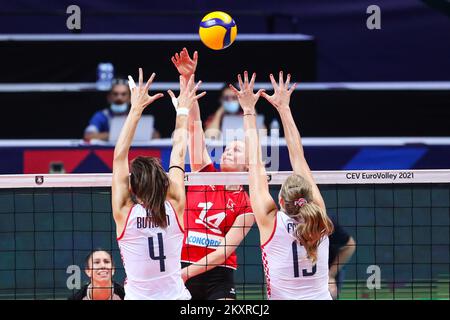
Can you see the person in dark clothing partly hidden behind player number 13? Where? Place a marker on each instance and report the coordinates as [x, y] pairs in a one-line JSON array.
[[342, 247]]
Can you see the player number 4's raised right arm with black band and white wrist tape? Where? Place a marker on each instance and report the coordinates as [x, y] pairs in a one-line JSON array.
[[183, 104]]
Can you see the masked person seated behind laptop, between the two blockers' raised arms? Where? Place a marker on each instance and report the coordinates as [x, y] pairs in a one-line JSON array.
[[229, 107]]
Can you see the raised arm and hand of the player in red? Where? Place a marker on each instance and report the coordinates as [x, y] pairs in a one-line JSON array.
[[198, 153]]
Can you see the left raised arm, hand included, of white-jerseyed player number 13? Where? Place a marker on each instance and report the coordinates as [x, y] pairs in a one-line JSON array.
[[262, 202]]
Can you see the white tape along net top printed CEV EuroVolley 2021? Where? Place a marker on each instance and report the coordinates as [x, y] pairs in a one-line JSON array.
[[233, 178]]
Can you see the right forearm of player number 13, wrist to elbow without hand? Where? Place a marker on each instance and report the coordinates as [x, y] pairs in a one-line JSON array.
[[293, 138]]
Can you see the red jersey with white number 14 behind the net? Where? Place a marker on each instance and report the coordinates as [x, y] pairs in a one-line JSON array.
[[210, 213]]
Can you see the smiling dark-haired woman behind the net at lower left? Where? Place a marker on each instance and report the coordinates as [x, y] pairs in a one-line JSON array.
[[99, 267]]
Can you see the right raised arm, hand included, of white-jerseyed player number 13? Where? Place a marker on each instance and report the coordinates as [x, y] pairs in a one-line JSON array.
[[280, 99]]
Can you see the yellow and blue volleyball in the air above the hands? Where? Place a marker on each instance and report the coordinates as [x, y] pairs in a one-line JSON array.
[[217, 30]]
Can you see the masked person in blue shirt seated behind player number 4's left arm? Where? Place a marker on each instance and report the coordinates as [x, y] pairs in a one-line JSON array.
[[119, 101]]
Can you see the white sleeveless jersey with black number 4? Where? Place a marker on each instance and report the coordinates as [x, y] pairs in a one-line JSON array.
[[151, 257]]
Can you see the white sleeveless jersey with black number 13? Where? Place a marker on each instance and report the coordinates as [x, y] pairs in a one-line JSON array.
[[290, 275]]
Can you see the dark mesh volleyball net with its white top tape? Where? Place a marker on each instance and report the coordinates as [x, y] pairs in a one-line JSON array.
[[399, 220]]
